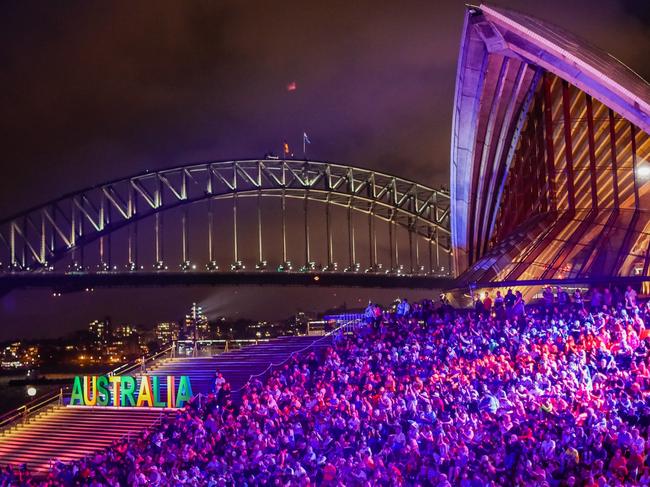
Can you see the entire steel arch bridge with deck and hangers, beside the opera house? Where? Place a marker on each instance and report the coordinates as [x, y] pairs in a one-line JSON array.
[[234, 222]]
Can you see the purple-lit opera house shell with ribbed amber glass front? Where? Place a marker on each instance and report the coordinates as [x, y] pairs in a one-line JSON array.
[[550, 155]]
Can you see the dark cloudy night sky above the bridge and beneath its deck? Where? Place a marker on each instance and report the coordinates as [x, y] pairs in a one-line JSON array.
[[91, 91]]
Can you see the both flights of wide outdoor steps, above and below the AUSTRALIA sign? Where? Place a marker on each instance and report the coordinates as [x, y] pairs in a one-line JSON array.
[[68, 433]]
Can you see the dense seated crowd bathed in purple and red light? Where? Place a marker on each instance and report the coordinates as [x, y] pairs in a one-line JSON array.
[[552, 394]]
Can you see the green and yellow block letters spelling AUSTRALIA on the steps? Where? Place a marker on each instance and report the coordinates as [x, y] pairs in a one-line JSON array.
[[127, 391]]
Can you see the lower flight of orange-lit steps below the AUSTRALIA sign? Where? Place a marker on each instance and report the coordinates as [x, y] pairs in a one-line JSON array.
[[69, 433]]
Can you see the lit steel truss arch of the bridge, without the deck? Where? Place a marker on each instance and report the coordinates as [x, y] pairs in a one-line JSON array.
[[35, 239]]
